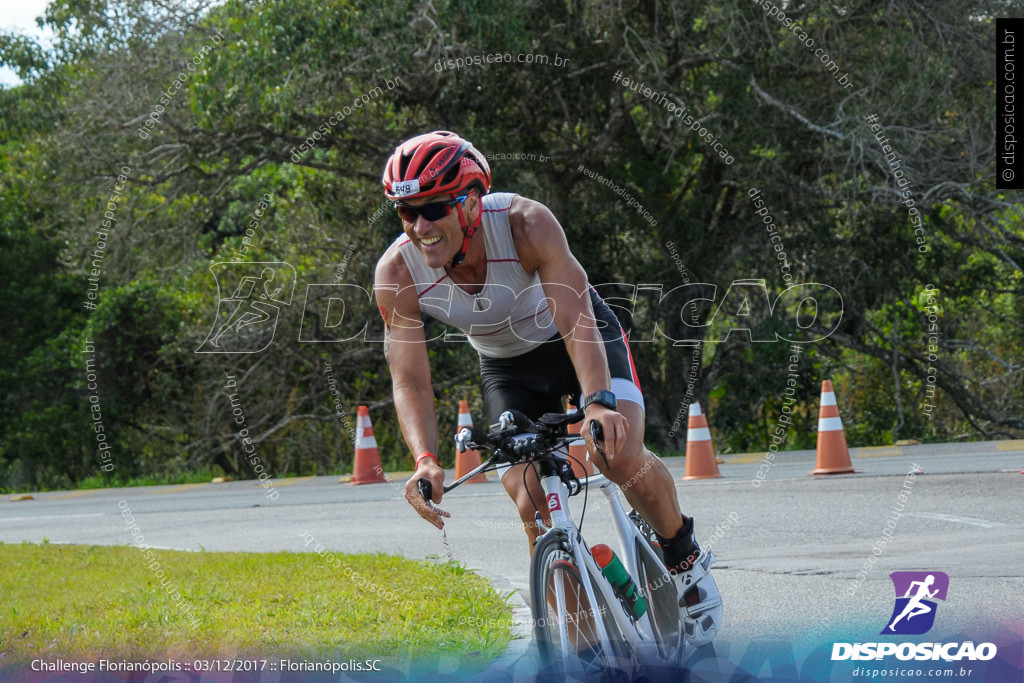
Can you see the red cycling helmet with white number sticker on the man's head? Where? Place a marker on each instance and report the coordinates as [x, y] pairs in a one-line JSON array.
[[438, 163]]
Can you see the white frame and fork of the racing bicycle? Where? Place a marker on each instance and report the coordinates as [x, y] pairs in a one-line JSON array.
[[639, 633]]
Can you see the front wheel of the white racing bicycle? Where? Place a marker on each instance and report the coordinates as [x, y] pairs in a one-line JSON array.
[[566, 623]]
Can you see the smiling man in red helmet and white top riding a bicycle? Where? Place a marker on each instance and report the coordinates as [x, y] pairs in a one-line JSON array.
[[498, 268]]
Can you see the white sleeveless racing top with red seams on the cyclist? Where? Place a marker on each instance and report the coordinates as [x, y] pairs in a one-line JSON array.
[[510, 316]]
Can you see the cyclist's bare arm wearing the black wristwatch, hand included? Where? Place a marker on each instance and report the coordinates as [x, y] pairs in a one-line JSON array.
[[543, 248]]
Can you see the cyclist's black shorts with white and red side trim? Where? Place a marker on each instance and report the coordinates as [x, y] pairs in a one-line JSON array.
[[536, 382]]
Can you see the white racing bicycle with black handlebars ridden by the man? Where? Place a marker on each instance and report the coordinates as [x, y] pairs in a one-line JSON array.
[[582, 622]]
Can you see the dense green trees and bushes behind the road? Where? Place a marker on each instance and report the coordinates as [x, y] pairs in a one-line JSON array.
[[225, 145]]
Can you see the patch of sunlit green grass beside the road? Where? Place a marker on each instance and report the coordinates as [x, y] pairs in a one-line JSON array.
[[99, 602]]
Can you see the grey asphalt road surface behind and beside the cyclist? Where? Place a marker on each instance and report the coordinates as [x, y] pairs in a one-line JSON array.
[[785, 567]]
